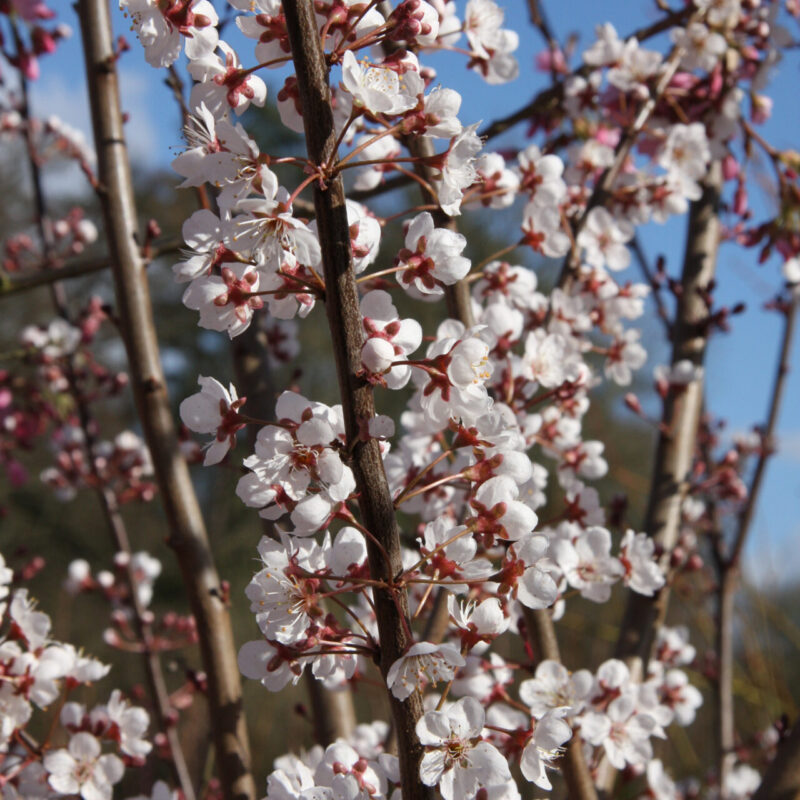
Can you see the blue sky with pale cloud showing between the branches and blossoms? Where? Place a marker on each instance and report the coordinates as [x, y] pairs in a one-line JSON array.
[[740, 364]]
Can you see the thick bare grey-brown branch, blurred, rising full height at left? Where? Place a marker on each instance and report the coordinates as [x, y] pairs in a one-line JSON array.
[[188, 536]]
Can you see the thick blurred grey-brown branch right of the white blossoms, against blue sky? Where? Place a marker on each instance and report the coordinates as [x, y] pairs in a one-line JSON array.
[[681, 415]]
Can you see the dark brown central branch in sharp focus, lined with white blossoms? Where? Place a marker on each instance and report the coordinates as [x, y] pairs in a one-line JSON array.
[[344, 320]]
